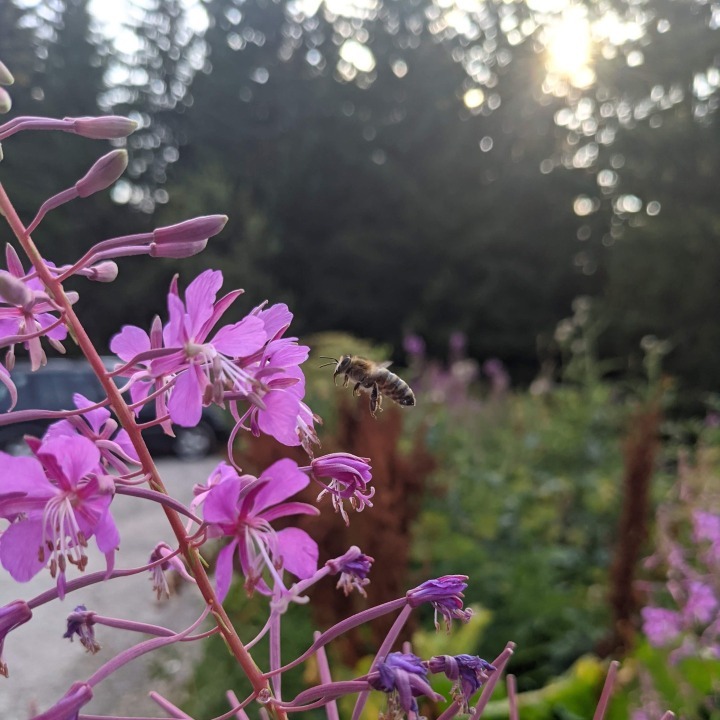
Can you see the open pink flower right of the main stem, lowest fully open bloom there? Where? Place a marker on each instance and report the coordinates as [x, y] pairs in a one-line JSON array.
[[242, 509]]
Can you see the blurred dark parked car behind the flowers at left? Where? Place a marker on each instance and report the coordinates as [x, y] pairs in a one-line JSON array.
[[53, 387]]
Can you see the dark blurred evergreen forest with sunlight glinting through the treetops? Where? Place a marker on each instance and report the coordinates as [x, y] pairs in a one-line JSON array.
[[397, 166]]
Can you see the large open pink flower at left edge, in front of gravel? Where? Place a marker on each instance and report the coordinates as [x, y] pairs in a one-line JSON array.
[[55, 504]]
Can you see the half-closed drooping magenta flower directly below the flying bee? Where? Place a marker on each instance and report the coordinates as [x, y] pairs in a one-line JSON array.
[[349, 477]]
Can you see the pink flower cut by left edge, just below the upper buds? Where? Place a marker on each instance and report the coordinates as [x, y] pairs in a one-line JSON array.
[[28, 310]]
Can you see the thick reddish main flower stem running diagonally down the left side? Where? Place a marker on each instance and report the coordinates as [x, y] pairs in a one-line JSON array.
[[127, 420]]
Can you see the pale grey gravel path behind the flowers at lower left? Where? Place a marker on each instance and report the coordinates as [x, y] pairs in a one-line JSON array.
[[43, 665]]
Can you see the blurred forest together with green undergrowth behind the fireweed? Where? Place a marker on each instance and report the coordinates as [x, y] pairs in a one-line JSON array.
[[452, 174]]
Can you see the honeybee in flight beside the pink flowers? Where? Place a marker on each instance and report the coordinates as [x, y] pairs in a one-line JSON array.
[[373, 378]]
